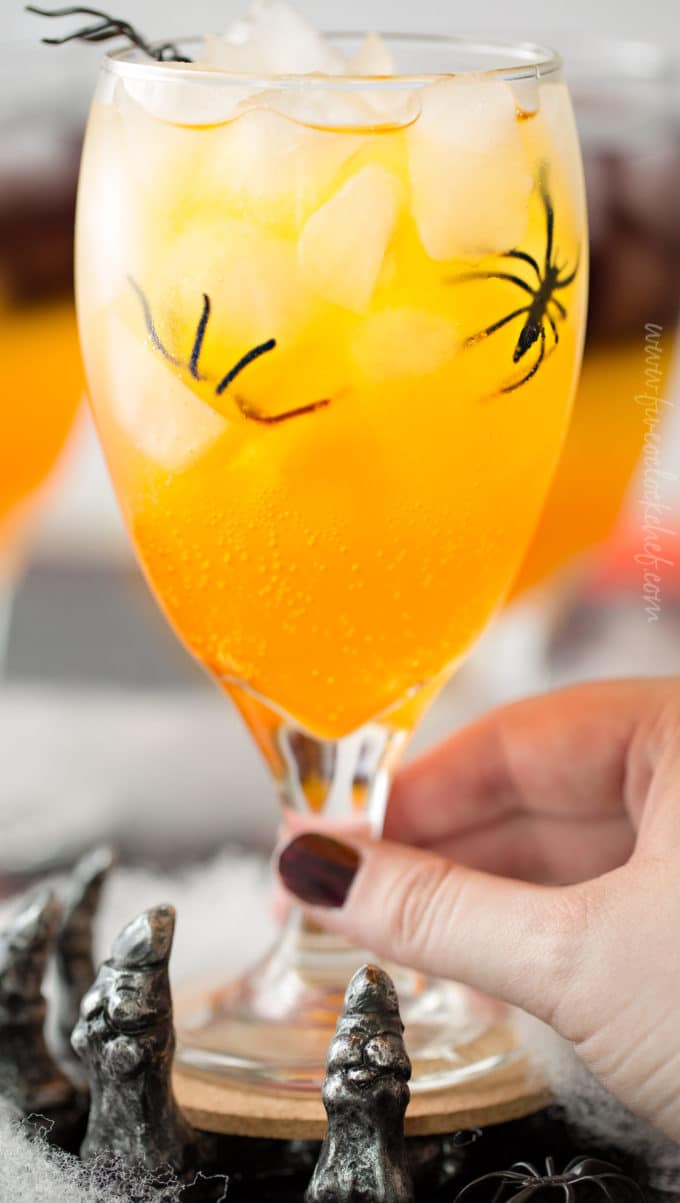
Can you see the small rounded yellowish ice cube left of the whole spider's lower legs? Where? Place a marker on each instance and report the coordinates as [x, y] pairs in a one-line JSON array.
[[404, 342]]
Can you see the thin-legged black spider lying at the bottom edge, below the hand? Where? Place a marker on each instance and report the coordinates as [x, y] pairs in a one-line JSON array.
[[531, 1182]]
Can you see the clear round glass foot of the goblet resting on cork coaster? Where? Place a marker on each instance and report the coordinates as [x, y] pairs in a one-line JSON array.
[[274, 1026]]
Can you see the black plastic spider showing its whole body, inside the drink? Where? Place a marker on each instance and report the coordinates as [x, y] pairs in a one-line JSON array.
[[537, 313]]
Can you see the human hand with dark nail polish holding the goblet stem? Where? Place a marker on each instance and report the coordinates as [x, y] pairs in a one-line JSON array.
[[536, 856]]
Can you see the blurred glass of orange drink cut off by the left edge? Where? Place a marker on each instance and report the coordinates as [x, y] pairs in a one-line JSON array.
[[43, 377]]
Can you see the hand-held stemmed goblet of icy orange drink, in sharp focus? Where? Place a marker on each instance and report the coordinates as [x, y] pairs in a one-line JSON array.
[[333, 328]]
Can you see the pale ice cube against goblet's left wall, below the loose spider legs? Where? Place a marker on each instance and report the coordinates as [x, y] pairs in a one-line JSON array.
[[157, 411]]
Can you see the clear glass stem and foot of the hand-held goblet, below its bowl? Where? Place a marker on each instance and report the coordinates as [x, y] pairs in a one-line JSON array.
[[275, 1023]]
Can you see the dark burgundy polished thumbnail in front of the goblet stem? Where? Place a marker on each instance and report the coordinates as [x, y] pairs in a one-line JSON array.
[[318, 869]]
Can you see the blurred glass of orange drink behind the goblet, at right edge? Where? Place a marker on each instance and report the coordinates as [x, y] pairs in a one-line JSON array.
[[626, 104]]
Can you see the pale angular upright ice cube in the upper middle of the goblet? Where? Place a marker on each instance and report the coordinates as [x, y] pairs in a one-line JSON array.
[[344, 245]]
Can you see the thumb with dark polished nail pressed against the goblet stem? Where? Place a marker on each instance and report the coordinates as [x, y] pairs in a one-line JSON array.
[[516, 941]]
